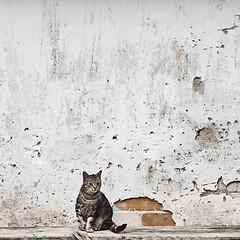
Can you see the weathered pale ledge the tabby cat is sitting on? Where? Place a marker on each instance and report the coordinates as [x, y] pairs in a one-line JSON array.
[[144, 233]]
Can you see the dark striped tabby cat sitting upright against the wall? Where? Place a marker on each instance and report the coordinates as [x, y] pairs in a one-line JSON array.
[[93, 209]]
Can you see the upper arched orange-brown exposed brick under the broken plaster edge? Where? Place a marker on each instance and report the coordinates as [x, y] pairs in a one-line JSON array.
[[141, 203]]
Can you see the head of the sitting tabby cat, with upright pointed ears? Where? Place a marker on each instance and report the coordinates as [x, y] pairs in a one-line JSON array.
[[91, 183]]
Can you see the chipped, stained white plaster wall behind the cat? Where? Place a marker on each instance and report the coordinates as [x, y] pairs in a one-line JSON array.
[[148, 91]]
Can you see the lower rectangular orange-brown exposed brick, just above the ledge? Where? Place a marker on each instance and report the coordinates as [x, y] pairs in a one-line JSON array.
[[158, 219]]
